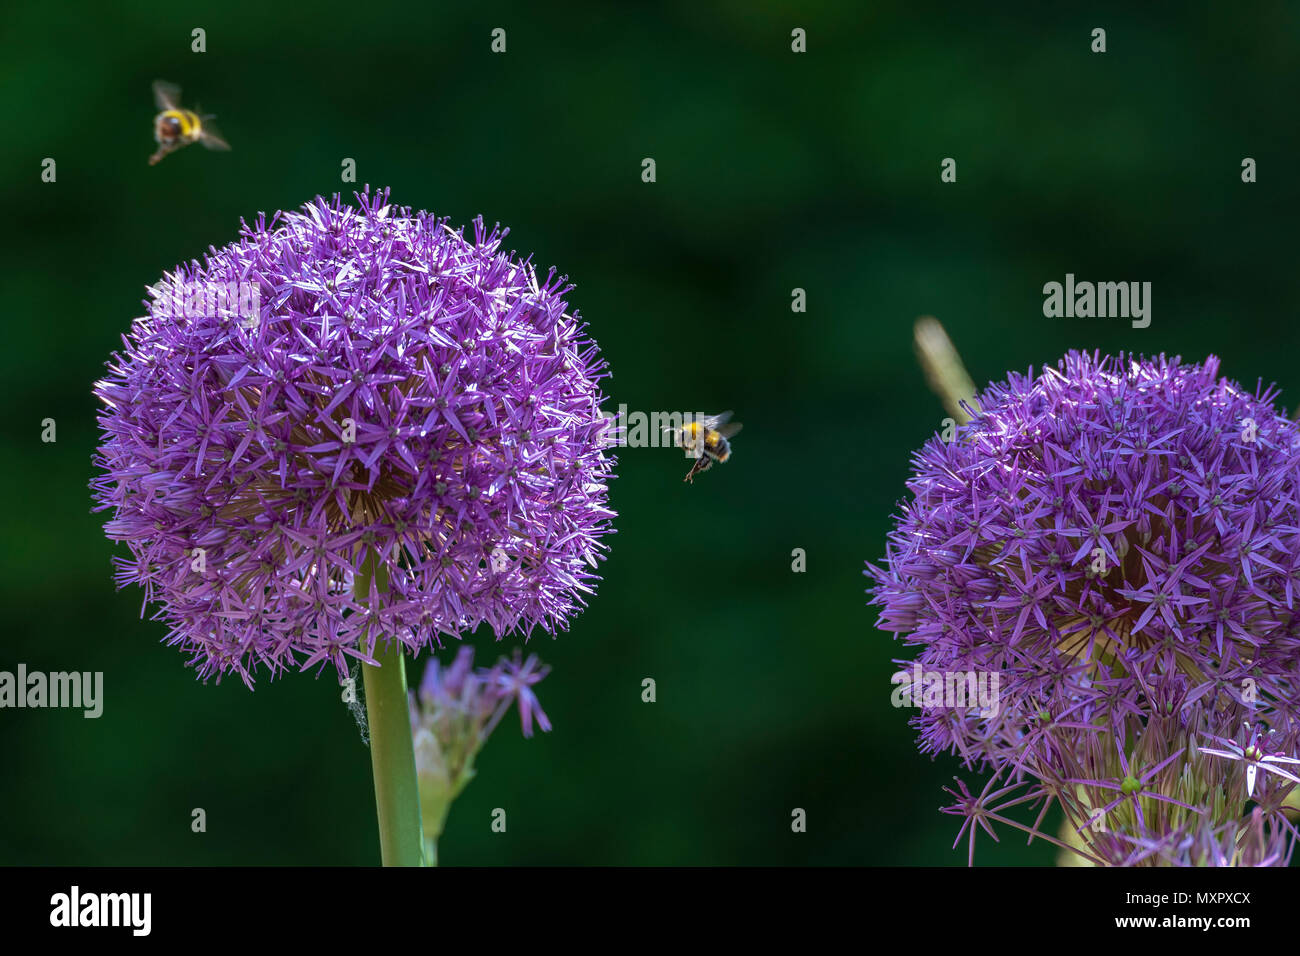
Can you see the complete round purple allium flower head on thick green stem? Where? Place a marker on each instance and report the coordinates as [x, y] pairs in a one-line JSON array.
[[402, 391]]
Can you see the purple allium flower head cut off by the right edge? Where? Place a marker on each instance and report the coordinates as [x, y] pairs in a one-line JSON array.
[[1119, 540]]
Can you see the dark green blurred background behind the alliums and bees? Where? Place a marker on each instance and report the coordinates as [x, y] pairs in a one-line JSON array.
[[775, 171]]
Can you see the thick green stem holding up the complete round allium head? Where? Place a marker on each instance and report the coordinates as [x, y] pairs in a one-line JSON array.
[[397, 795]]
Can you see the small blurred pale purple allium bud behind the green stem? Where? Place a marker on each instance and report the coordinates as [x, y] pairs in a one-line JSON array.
[[452, 719]]
